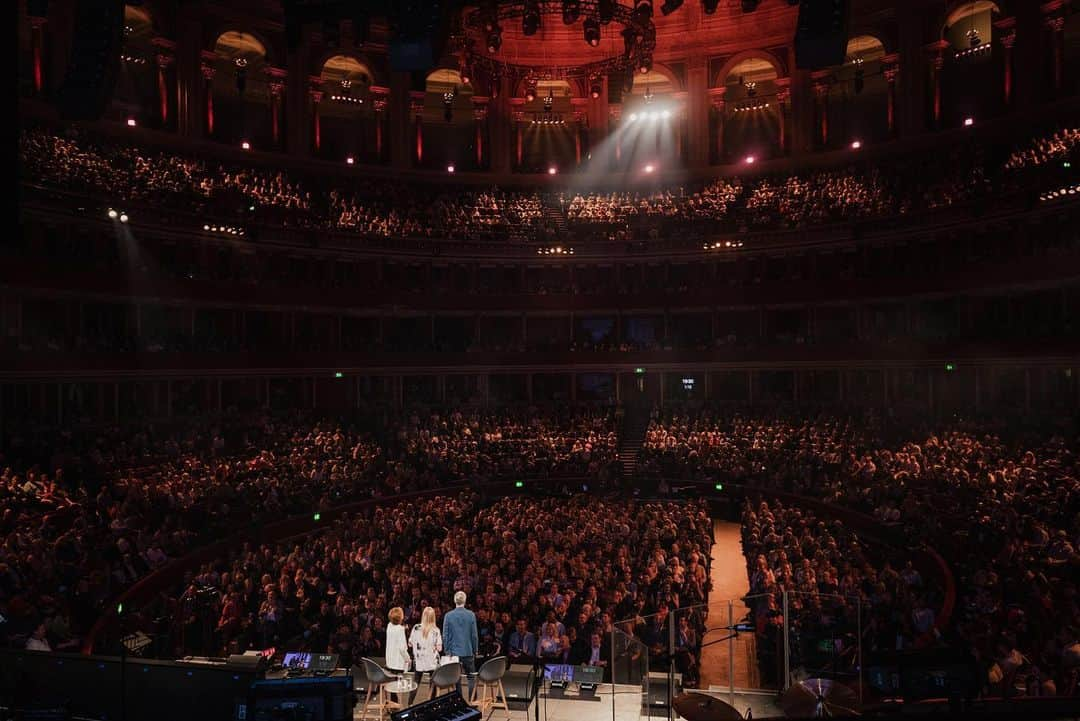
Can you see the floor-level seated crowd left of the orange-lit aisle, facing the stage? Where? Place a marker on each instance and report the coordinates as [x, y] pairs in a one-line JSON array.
[[548, 579]]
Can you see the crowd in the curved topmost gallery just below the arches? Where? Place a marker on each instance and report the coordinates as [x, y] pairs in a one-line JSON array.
[[227, 193]]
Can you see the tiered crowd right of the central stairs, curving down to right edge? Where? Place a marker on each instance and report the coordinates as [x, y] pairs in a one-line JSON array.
[[1005, 514]]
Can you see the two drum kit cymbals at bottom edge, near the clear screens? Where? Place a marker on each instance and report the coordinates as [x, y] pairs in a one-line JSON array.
[[812, 699]]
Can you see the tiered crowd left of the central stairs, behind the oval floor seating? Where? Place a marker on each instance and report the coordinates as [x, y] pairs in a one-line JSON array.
[[109, 509]]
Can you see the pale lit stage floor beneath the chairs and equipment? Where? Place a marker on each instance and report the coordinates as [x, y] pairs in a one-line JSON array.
[[628, 706]]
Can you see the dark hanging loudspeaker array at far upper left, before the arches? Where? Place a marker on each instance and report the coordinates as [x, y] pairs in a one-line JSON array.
[[96, 60]]
